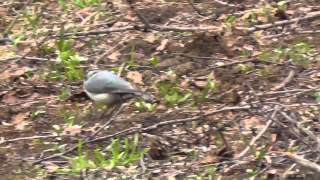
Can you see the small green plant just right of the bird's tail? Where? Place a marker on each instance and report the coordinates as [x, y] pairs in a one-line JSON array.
[[172, 94]]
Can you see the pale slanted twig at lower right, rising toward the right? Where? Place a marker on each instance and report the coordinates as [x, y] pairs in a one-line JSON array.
[[259, 135]]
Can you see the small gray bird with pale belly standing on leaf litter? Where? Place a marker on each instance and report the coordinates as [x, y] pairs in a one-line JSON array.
[[106, 87]]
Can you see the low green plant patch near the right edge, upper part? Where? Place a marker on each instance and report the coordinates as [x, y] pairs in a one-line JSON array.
[[297, 53]]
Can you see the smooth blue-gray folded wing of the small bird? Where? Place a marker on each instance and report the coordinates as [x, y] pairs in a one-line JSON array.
[[107, 82]]
